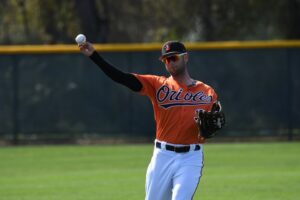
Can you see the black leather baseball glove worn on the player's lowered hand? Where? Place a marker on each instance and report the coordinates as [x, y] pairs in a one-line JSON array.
[[210, 122]]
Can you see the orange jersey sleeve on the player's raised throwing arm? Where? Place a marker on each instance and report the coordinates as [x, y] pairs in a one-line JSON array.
[[148, 84]]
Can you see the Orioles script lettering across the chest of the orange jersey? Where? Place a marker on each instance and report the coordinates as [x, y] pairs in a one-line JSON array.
[[168, 98]]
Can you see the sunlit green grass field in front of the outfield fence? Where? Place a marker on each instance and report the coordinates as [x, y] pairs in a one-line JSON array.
[[237, 171]]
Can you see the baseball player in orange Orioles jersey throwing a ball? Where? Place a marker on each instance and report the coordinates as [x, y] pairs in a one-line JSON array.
[[186, 113]]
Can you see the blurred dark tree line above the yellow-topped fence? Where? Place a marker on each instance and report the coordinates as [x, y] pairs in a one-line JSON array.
[[127, 21]]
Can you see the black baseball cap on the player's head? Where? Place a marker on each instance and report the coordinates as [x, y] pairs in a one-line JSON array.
[[171, 48]]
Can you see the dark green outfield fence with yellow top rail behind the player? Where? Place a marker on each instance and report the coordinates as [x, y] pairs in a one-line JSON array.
[[54, 92]]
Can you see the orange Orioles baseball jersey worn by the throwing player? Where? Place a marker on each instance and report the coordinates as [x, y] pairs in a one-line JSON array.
[[174, 106]]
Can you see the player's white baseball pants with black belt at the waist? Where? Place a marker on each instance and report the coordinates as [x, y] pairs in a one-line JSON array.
[[172, 175]]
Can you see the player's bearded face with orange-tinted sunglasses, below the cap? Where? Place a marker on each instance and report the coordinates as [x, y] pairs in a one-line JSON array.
[[175, 64]]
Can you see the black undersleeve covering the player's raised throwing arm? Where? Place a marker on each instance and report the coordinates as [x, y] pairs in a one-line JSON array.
[[127, 79]]
